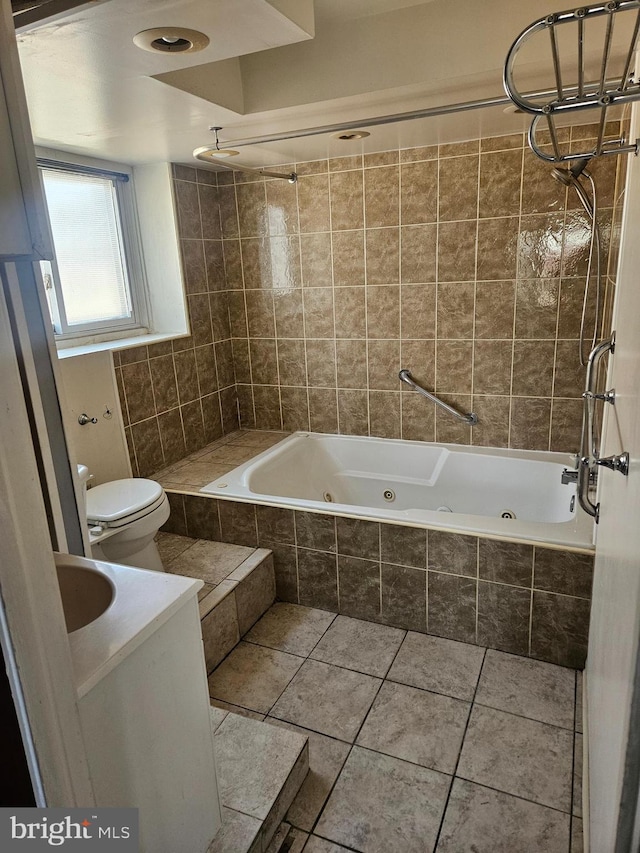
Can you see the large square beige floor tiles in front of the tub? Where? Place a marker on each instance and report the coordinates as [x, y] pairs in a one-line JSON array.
[[417, 744]]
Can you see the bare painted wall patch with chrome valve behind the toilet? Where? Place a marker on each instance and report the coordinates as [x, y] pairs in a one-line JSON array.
[[89, 386]]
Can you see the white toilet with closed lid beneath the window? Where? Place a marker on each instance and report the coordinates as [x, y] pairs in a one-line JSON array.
[[124, 517]]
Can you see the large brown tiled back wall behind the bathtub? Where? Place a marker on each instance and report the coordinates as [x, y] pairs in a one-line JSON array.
[[464, 263]]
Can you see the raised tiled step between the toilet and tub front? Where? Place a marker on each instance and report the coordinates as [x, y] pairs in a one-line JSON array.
[[239, 587]]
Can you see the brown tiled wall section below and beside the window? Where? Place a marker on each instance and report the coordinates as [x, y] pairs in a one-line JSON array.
[[179, 395]]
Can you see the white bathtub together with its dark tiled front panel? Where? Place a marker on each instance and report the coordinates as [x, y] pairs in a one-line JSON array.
[[362, 527]]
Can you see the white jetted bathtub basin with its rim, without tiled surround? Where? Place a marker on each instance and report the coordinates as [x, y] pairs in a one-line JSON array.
[[506, 494]]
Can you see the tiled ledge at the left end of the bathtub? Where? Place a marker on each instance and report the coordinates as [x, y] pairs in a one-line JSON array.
[[213, 461]]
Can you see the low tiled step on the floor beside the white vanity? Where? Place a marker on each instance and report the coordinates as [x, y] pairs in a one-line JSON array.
[[260, 770]]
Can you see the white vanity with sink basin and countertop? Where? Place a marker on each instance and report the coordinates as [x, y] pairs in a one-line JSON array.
[[143, 698]]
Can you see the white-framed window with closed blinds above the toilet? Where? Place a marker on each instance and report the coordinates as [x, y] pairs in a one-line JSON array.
[[95, 284]]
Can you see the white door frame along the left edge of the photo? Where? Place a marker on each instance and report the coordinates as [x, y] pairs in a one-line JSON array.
[[33, 633]]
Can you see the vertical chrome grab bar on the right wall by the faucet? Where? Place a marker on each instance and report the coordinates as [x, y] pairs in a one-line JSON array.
[[590, 459]]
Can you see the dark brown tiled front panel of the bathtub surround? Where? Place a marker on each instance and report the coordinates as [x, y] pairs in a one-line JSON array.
[[523, 599]]
